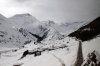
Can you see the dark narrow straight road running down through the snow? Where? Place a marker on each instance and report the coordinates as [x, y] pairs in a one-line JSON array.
[[79, 59]]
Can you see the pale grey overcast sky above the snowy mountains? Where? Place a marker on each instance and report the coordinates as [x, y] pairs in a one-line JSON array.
[[56, 10]]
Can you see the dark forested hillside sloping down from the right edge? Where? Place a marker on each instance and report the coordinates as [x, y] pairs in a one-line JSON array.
[[87, 32]]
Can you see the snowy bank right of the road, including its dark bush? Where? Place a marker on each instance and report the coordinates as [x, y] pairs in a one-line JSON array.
[[90, 47]]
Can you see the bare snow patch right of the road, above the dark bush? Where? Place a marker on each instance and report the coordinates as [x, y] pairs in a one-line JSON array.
[[90, 46]]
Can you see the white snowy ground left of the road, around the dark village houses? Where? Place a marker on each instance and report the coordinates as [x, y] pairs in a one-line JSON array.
[[56, 57]]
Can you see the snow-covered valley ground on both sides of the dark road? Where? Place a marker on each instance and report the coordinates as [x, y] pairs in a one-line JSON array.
[[58, 57]]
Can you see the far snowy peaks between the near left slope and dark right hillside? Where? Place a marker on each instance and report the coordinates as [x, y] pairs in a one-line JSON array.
[[49, 29]]
